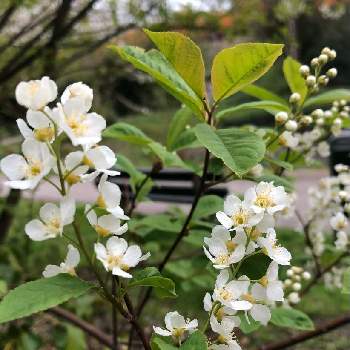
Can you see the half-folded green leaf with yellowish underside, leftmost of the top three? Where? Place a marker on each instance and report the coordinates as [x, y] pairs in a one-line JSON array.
[[156, 65]]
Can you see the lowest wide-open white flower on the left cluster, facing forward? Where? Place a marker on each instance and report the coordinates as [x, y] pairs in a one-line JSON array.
[[118, 257]]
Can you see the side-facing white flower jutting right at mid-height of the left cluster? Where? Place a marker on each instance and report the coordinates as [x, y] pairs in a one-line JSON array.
[[100, 159]]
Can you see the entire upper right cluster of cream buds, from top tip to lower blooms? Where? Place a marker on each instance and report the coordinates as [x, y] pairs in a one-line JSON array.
[[308, 134]]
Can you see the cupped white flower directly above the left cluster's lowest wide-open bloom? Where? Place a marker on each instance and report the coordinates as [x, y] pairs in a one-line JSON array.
[[105, 225]]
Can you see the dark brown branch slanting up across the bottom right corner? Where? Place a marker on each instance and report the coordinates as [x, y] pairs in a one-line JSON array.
[[299, 338]]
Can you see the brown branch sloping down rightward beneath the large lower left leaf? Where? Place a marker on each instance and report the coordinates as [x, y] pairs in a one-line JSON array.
[[87, 327]]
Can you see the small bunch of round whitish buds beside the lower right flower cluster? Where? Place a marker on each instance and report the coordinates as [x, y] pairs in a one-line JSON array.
[[293, 284]]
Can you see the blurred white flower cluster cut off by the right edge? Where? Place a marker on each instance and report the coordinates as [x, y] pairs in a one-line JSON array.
[[330, 208]]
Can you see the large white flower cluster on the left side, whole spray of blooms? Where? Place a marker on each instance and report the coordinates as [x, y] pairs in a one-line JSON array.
[[43, 130]]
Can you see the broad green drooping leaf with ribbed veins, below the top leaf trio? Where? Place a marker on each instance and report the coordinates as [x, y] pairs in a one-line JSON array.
[[239, 149]]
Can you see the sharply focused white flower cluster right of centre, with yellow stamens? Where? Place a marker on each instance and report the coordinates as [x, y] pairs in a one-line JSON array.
[[247, 228]]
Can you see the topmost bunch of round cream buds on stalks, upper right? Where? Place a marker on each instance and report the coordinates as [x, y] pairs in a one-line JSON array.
[[315, 77]]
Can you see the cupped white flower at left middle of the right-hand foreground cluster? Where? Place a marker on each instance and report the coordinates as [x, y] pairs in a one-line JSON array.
[[222, 250]]
